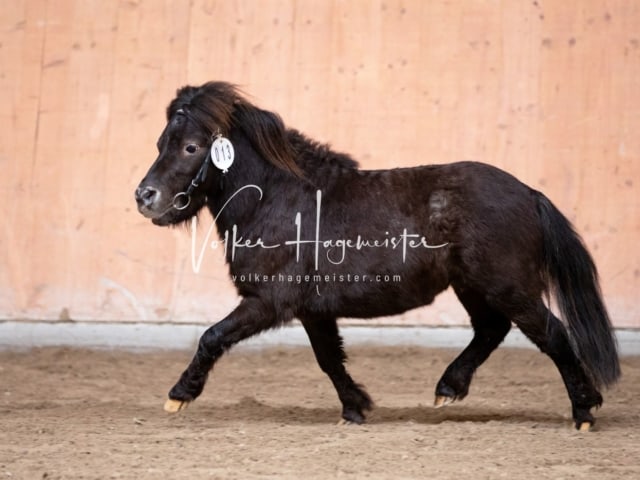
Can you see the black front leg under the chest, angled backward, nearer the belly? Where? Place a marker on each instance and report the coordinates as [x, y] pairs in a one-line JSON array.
[[327, 347]]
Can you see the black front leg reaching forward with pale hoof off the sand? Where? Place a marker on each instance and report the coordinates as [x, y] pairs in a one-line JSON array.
[[252, 316]]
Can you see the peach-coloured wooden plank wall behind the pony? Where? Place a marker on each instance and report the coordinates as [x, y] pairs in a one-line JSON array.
[[548, 90]]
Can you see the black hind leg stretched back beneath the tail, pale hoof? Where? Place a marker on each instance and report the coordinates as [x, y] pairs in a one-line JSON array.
[[550, 336]]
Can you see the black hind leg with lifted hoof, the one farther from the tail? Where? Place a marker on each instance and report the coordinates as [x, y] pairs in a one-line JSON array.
[[490, 327]]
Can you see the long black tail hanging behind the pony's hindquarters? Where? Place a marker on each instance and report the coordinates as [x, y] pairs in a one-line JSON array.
[[573, 278]]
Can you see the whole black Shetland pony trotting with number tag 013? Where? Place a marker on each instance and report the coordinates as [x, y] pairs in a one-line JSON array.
[[310, 236]]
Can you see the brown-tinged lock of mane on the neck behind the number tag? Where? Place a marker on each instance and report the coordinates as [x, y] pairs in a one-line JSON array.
[[268, 135]]
